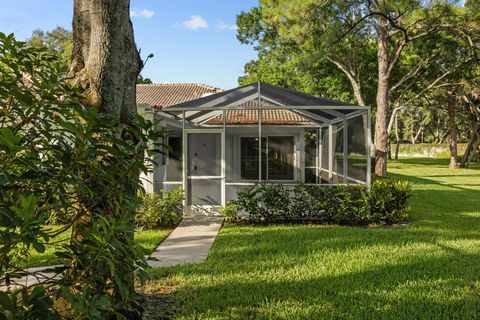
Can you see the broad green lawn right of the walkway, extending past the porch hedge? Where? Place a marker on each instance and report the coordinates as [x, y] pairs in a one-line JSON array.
[[429, 269]]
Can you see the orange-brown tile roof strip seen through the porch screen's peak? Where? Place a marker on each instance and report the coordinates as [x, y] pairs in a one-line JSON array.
[[276, 116]]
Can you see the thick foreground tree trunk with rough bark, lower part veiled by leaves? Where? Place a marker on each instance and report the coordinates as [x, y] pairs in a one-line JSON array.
[[105, 66]]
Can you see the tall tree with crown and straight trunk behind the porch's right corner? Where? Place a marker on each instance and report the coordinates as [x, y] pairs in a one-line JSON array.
[[344, 32]]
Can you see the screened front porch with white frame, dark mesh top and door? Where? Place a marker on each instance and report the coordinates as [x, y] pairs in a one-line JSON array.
[[226, 140]]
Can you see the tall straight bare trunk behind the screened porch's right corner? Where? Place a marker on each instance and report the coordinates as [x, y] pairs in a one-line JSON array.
[[381, 121]]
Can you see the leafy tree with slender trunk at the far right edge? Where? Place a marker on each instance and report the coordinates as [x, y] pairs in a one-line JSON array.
[[448, 56]]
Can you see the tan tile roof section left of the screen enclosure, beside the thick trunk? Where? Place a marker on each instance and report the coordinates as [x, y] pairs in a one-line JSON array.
[[164, 95]]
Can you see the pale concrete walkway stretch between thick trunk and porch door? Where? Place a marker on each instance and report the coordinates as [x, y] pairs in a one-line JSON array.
[[189, 242]]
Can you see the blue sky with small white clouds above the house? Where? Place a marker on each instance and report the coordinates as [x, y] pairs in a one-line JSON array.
[[193, 41]]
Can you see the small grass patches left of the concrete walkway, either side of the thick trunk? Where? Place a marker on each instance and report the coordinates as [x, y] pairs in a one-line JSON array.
[[147, 239]]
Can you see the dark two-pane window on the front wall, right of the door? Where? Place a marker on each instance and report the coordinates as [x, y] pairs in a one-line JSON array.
[[277, 158]]
